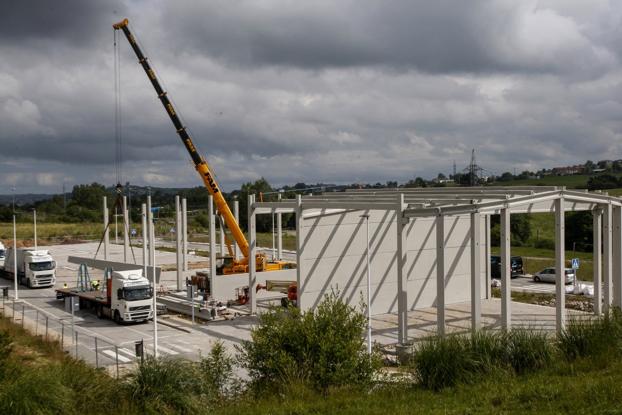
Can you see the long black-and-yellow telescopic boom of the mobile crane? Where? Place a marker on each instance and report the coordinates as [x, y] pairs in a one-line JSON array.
[[199, 162]]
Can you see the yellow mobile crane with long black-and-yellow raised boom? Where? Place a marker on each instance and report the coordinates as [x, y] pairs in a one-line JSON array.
[[230, 264]]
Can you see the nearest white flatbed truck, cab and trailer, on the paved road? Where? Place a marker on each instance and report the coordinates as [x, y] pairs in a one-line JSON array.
[[125, 297]]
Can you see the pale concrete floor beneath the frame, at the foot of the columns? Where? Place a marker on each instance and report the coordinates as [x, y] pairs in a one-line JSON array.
[[422, 323]]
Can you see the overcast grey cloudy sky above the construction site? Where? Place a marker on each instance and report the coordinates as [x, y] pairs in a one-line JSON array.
[[322, 91]]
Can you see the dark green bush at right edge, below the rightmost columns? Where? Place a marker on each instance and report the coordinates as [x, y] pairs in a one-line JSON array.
[[591, 337]]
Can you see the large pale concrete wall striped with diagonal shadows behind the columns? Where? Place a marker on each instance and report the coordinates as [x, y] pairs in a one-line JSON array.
[[333, 259]]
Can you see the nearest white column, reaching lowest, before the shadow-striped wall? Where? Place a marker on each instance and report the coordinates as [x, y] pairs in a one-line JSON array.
[[402, 271]]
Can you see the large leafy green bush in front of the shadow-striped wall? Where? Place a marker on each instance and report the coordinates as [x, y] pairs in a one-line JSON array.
[[323, 348]]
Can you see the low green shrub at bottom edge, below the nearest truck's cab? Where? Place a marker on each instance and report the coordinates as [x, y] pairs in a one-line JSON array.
[[165, 386]]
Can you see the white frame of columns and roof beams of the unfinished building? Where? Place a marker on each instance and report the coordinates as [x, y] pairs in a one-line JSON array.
[[479, 203]]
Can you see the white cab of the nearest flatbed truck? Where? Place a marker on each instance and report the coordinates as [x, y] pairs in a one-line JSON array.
[[130, 296]]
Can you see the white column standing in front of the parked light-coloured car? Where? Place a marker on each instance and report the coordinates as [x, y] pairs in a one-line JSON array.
[[560, 265]]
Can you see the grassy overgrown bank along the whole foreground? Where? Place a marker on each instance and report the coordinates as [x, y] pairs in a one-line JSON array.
[[577, 373]]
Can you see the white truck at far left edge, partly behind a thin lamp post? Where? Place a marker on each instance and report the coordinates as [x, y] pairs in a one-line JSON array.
[[35, 267]]
